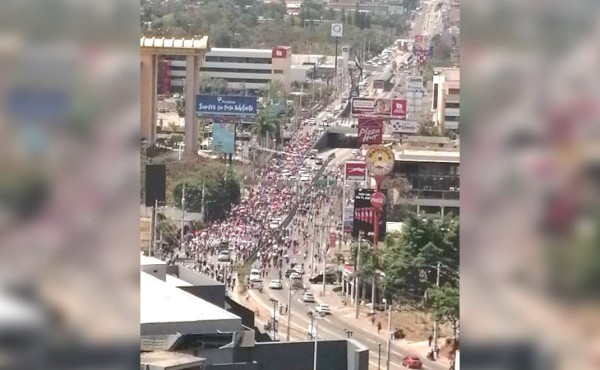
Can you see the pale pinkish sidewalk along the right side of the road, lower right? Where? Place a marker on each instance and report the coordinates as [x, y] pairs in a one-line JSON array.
[[348, 311]]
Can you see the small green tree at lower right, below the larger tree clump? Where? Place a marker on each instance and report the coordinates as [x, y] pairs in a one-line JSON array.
[[444, 303]]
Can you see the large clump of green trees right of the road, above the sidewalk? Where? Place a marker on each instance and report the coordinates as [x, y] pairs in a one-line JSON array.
[[409, 262]]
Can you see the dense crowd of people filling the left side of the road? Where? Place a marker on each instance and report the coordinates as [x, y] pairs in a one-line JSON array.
[[253, 222]]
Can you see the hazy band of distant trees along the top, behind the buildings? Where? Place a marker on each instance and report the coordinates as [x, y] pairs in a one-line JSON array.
[[256, 24]]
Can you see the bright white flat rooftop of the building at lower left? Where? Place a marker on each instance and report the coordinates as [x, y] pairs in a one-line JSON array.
[[163, 303]]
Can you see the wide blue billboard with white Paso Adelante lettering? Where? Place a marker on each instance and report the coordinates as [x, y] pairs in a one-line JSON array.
[[221, 105]]
